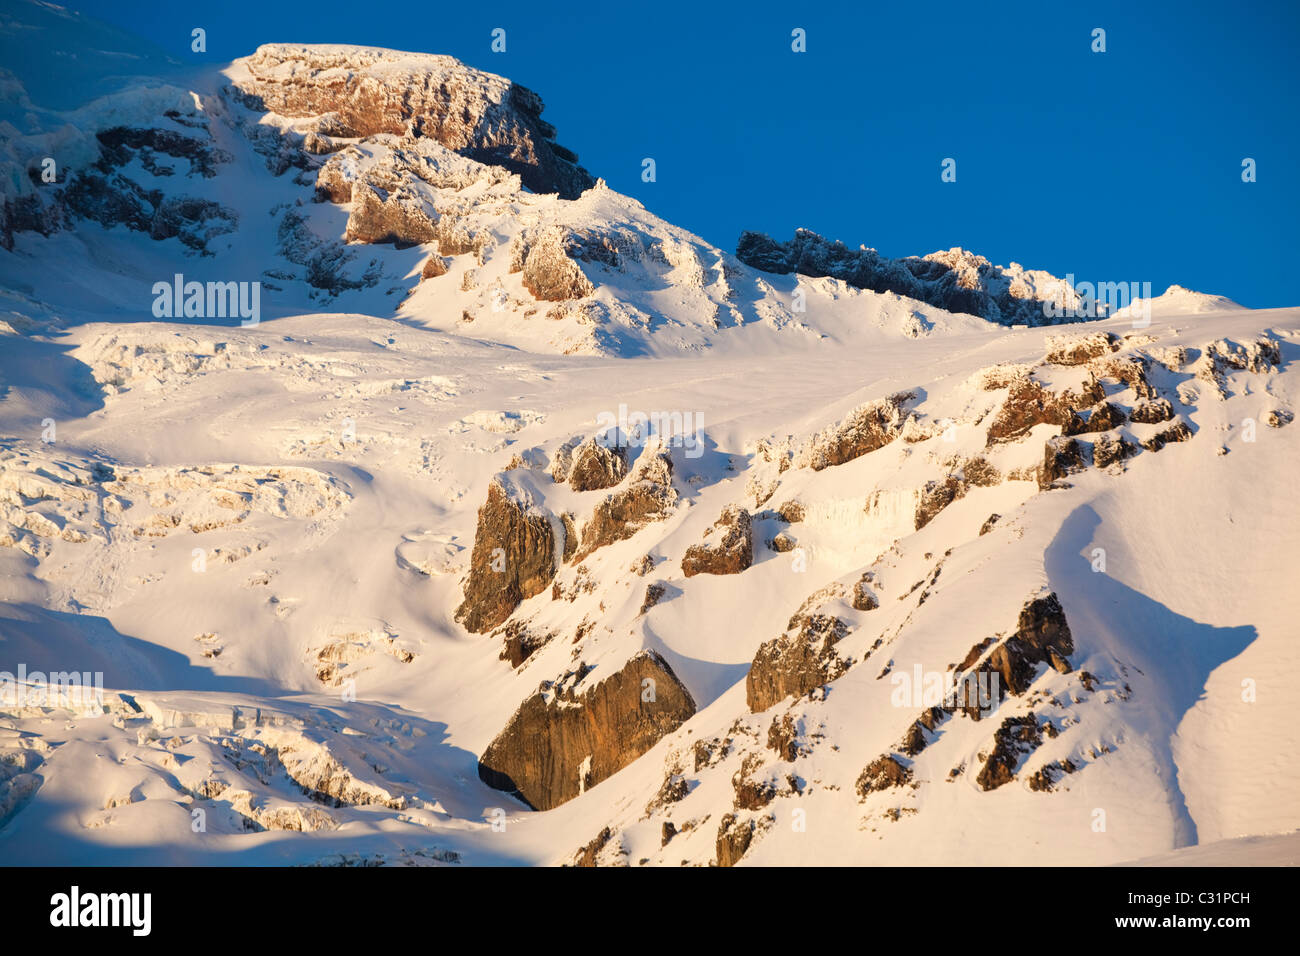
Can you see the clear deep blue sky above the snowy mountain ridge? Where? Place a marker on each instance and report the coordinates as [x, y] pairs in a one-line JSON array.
[[1124, 166]]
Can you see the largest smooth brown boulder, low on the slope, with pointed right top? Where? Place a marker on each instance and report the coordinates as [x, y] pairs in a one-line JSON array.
[[561, 743]]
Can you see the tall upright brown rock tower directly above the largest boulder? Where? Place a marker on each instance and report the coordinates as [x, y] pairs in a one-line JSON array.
[[514, 559]]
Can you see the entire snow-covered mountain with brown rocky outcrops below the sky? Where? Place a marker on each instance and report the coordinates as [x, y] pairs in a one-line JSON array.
[[495, 520]]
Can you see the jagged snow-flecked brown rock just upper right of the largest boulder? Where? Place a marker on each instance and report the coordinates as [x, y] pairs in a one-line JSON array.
[[799, 661]]
